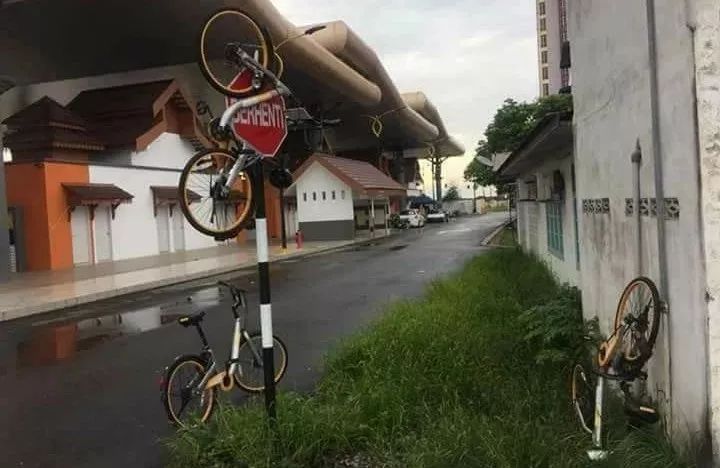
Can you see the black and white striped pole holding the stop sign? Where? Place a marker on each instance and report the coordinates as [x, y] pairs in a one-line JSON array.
[[263, 256]]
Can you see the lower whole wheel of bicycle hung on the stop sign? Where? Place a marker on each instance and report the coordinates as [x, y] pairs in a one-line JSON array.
[[205, 201]]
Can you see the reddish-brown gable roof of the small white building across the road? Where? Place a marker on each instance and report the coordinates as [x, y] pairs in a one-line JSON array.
[[359, 175]]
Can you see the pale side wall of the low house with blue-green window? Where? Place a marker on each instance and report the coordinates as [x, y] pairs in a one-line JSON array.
[[532, 221]]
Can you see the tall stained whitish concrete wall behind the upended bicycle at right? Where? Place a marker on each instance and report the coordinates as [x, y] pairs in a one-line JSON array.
[[612, 112]]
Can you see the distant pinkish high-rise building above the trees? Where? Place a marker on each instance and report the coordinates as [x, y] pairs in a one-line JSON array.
[[553, 73]]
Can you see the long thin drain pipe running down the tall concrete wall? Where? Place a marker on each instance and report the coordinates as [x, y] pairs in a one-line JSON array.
[[660, 198]]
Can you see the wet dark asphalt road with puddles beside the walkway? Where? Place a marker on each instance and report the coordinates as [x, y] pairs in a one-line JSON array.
[[80, 388]]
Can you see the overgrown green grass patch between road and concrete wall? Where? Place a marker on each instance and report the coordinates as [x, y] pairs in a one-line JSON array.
[[453, 379]]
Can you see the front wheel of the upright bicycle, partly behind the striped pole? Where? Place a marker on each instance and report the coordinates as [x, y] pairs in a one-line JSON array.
[[250, 375]]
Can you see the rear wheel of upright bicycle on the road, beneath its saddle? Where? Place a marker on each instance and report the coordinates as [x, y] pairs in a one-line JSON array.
[[182, 404]]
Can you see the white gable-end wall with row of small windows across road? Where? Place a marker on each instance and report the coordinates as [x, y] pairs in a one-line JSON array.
[[317, 179]]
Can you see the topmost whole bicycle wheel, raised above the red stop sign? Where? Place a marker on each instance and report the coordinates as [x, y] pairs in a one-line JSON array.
[[221, 32]]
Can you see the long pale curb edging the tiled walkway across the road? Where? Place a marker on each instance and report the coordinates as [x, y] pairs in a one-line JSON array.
[[23, 312]]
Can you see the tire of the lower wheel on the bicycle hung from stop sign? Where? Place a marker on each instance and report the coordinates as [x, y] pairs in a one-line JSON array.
[[185, 193]]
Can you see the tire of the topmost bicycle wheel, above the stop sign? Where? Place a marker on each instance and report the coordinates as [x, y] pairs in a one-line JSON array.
[[267, 53]]
